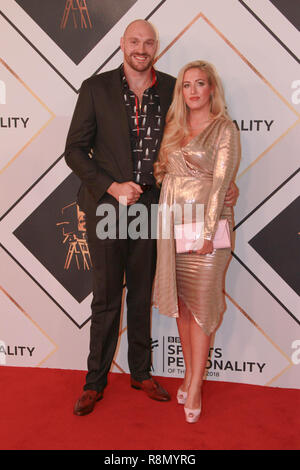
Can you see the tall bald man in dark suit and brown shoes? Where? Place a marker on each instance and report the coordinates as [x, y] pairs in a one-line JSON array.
[[120, 116]]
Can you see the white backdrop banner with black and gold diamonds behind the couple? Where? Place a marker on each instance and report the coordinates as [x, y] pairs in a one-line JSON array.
[[47, 49]]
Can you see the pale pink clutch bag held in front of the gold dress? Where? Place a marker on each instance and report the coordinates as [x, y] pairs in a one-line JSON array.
[[189, 237]]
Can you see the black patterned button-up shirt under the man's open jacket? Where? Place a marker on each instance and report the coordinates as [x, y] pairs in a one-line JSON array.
[[145, 126]]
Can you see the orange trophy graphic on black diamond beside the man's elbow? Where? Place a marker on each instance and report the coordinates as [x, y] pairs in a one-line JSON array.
[[74, 233]]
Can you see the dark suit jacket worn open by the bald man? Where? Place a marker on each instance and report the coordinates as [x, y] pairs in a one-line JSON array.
[[100, 123]]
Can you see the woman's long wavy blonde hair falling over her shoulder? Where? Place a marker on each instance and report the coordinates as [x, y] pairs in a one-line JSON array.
[[176, 128]]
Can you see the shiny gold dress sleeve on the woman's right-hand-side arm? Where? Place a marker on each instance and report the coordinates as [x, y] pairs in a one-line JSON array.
[[226, 161]]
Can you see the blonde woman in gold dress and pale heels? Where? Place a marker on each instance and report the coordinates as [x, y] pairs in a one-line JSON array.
[[199, 156]]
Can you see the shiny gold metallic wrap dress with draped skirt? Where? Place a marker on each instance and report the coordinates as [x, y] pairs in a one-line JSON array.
[[199, 173]]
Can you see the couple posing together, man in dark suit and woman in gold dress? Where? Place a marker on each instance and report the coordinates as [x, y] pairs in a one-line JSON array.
[[149, 131]]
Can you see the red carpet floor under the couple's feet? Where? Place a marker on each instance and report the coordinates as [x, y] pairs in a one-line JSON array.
[[37, 413]]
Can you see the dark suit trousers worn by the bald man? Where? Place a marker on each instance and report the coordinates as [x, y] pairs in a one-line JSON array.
[[111, 259]]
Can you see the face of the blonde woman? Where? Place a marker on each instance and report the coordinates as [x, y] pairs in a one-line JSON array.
[[196, 89]]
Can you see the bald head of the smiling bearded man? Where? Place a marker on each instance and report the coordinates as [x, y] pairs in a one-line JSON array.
[[139, 45]]
